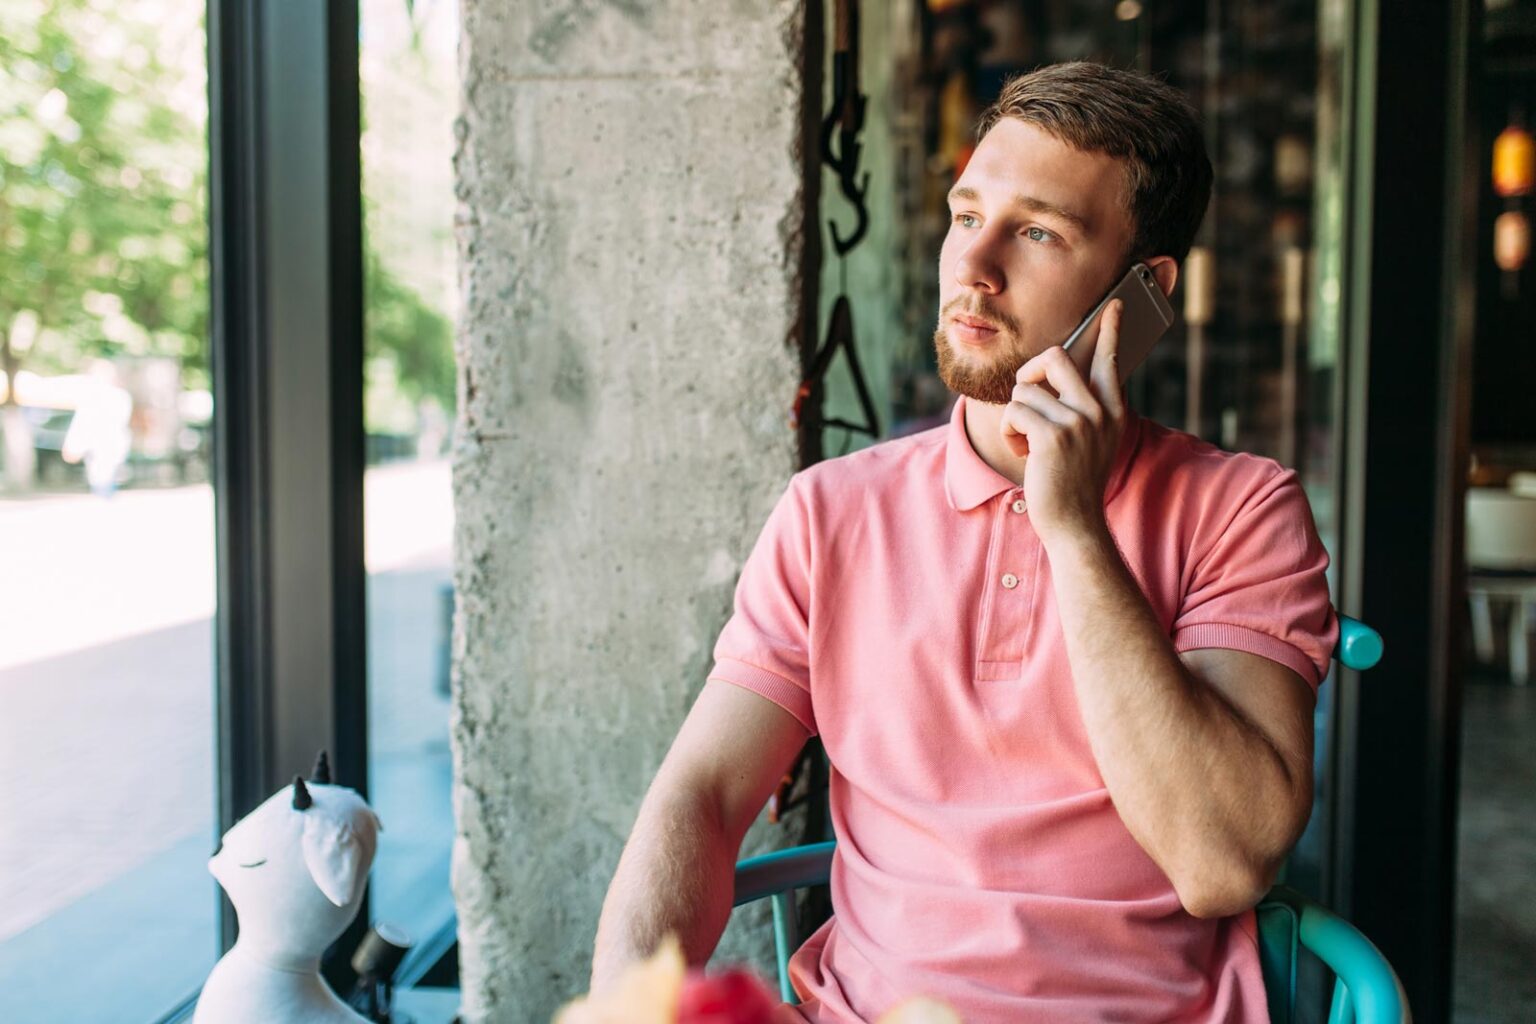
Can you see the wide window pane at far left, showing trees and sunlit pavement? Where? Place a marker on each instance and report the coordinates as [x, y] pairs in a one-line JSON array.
[[107, 514]]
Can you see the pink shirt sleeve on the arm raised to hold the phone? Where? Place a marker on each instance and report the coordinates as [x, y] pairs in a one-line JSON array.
[[1260, 581]]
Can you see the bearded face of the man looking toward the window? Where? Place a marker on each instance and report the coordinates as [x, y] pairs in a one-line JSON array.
[[1038, 236]]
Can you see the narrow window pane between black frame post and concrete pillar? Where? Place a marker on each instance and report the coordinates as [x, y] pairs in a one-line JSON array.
[[409, 104]]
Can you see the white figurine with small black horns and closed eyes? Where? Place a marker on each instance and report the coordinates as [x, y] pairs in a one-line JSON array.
[[296, 870]]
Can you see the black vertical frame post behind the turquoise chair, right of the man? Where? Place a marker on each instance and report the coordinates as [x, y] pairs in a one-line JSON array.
[[1406, 421]]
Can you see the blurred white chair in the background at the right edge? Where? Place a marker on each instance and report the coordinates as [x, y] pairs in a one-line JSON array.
[[1501, 563]]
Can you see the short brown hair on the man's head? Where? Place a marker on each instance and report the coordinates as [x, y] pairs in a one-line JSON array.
[[1136, 117]]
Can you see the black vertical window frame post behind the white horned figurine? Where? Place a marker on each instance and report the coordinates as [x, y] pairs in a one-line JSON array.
[[288, 315]]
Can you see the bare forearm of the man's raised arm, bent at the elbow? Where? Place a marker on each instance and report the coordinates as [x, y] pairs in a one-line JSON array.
[[1194, 782]]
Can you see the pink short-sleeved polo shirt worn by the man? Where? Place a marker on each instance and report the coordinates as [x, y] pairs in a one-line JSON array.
[[901, 606]]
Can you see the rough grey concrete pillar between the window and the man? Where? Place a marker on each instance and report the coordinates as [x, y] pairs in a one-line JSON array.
[[631, 214]]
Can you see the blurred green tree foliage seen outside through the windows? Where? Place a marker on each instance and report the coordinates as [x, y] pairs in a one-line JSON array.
[[104, 200]]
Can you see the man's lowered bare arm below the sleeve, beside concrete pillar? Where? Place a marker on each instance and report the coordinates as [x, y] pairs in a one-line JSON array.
[[678, 870]]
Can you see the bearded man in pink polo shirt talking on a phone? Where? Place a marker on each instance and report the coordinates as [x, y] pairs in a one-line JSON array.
[[1070, 721]]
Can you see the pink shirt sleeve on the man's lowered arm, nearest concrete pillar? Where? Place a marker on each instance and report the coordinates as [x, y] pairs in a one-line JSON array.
[[766, 644]]
